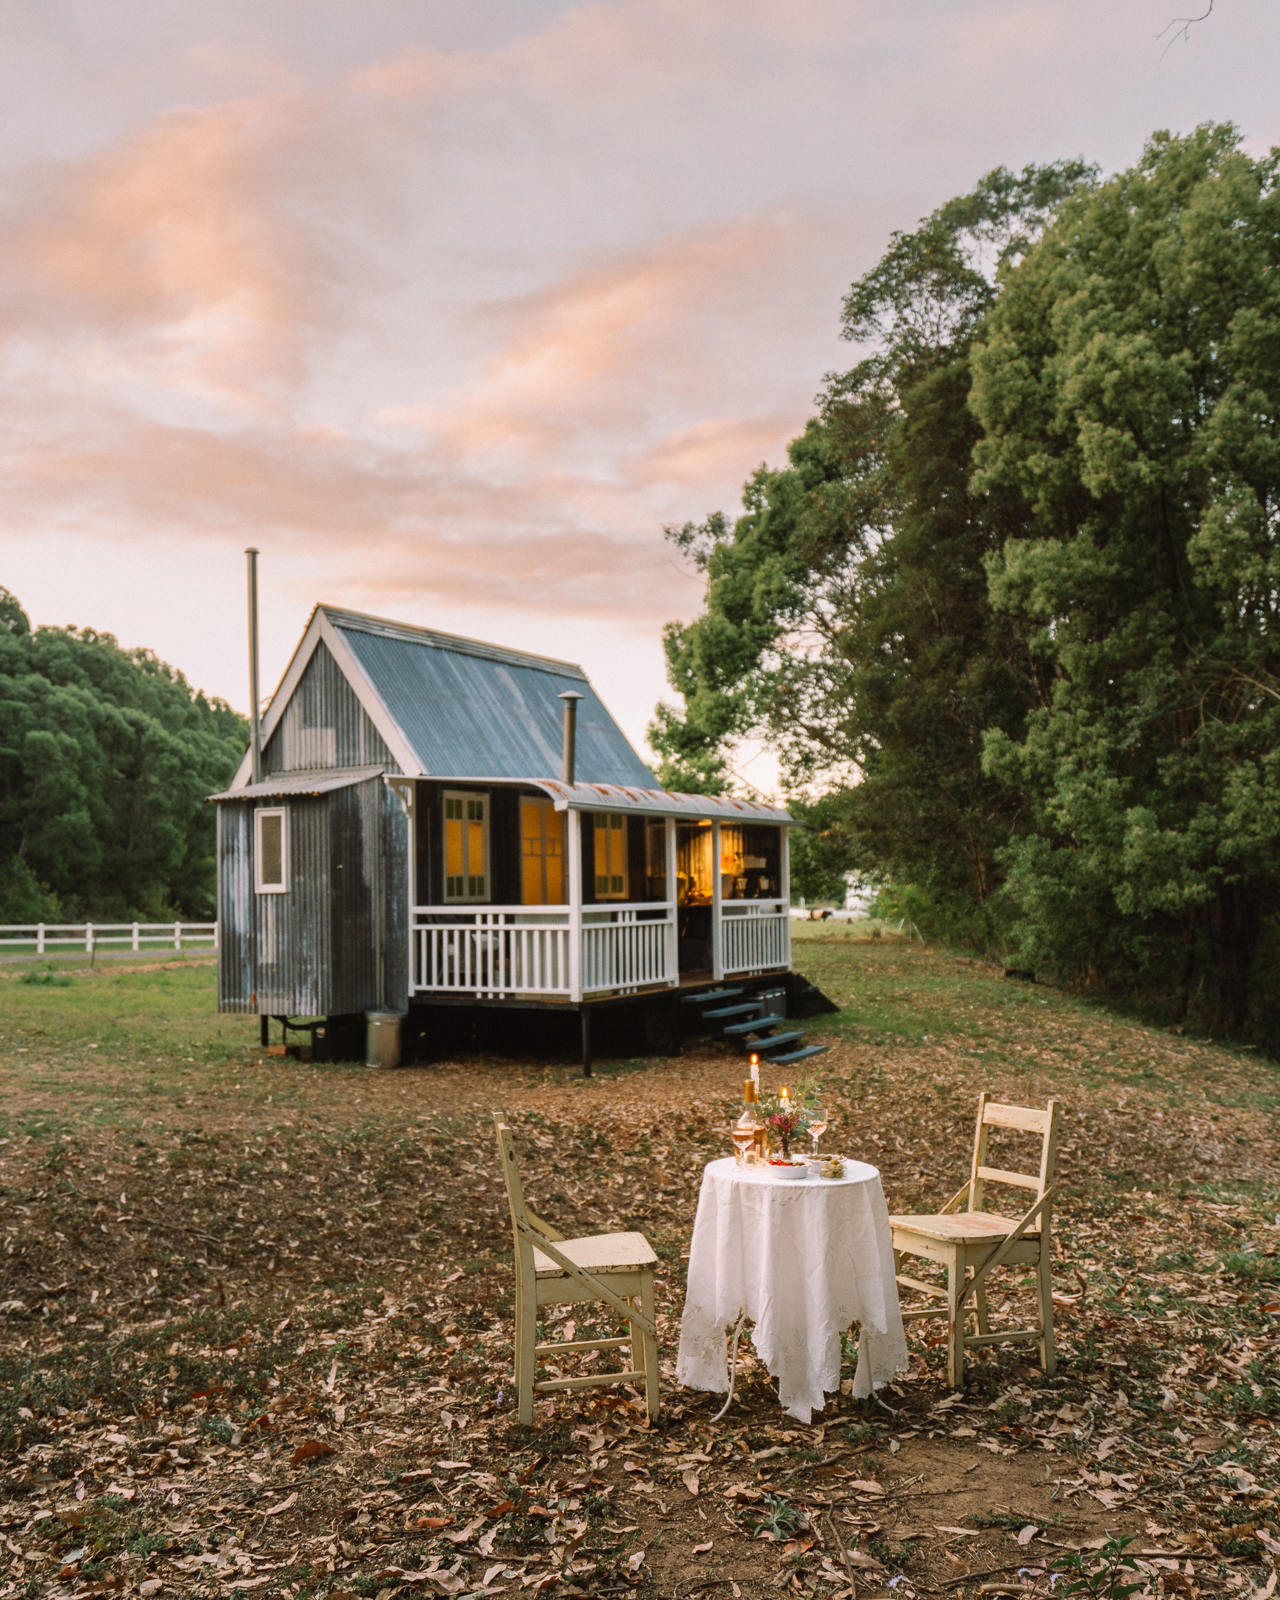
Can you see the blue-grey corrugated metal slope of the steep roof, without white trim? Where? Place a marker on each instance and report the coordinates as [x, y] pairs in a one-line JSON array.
[[471, 718]]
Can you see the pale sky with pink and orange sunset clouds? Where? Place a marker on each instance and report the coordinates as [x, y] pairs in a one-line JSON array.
[[449, 308]]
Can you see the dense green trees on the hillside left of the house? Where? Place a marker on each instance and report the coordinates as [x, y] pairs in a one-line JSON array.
[[106, 758]]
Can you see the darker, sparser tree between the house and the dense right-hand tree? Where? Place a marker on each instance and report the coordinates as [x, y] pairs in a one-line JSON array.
[[847, 615]]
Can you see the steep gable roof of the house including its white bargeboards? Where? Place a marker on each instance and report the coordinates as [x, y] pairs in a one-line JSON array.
[[462, 710]]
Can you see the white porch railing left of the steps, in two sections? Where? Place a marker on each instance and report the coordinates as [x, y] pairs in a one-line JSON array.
[[495, 951]]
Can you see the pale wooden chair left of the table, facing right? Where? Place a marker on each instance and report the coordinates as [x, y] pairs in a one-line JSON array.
[[553, 1271]]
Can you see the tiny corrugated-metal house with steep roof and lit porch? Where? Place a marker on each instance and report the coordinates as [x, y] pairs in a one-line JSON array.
[[446, 823]]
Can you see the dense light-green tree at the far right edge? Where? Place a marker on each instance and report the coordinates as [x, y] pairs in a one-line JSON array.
[[1129, 388]]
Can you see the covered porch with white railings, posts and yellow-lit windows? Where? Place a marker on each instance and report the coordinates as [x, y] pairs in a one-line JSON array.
[[623, 892]]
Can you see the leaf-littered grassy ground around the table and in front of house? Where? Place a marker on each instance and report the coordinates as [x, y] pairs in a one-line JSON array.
[[215, 1258]]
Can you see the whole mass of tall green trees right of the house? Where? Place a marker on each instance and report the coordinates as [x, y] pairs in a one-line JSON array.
[[1012, 599]]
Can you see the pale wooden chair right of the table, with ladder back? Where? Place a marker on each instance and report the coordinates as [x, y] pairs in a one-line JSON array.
[[972, 1242]]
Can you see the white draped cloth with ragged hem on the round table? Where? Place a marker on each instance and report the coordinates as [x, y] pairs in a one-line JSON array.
[[804, 1258]]
